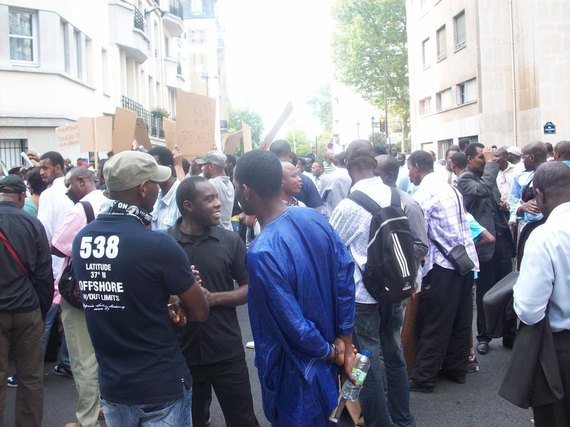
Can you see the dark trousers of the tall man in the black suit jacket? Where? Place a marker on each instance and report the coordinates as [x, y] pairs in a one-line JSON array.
[[490, 273]]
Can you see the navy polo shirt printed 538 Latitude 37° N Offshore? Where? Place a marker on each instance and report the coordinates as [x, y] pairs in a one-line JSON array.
[[126, 274]]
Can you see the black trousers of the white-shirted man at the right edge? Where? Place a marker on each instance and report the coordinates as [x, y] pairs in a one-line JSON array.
[[558, 414]]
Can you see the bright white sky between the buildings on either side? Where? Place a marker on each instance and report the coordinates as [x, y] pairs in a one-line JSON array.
[[277, 51]]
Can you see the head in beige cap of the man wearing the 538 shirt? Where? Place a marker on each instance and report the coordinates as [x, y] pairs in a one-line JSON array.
[[133, 177]]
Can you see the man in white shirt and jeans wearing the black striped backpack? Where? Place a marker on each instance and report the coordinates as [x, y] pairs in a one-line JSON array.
[[352, 222]]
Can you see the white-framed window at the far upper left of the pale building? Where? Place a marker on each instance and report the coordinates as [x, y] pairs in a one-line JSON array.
[[22, 33]]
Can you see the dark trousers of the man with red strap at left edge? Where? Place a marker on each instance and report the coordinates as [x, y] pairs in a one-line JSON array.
[[20, 336]]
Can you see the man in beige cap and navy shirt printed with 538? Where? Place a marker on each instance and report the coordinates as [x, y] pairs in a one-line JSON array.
[[127, 274]]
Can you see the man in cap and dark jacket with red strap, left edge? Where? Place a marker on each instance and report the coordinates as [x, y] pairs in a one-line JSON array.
[[24, 253]]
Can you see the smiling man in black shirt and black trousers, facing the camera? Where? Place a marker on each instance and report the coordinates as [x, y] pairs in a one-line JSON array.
[[214, 349]]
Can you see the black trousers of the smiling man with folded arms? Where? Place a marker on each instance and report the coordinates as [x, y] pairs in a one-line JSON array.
[[230, 380]]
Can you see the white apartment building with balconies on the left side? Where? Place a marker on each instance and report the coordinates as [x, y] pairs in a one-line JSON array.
[[65, 59]]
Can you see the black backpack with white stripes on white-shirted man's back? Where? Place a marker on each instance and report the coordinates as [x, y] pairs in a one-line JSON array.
[[390, 272]]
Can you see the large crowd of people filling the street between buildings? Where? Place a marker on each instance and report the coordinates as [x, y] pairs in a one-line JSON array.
[[163, 249]]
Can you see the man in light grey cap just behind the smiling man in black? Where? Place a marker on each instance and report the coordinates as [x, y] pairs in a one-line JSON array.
[[214, 164]]
